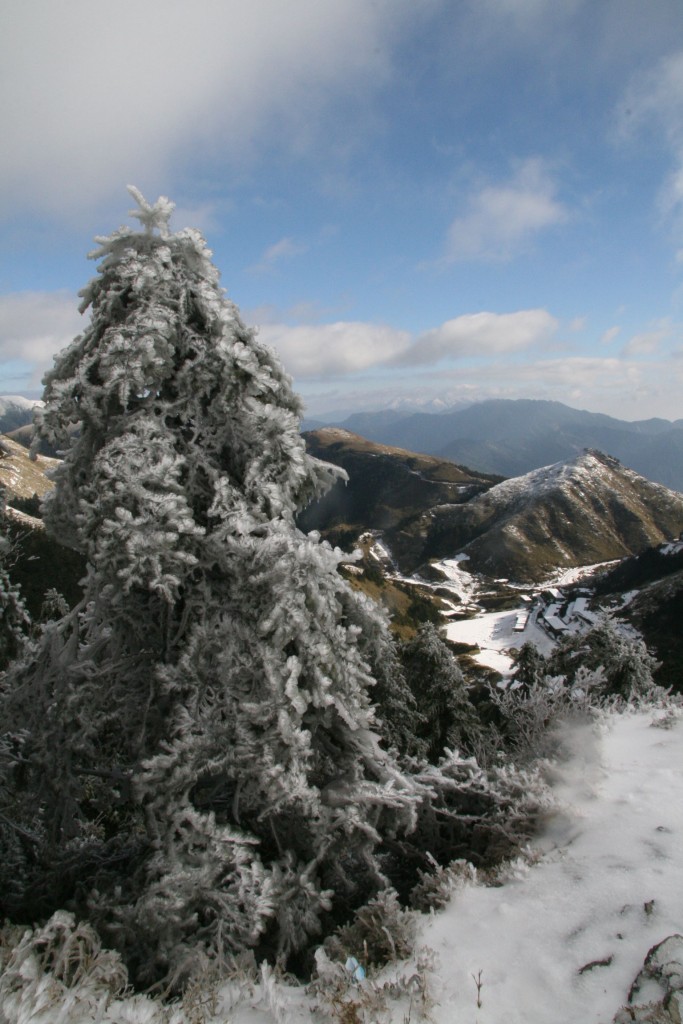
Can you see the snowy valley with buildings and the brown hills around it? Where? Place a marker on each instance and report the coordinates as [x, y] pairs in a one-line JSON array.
[[507, 563]]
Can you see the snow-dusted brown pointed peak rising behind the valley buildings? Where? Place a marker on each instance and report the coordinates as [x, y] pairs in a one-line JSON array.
[[581, 511]]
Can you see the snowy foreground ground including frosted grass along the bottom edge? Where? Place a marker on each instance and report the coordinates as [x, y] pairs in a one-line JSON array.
[[560, 943]]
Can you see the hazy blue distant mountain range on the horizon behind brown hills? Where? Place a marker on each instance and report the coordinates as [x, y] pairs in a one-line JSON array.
[[513, 438]]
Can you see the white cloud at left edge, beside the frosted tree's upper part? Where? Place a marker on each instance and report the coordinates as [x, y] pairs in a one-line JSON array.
[[34, 326]]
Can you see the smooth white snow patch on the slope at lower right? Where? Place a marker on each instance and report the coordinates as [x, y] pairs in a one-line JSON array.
[[610, 888]]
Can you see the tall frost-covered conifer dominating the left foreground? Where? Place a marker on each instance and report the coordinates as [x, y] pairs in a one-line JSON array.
[[202, 743]]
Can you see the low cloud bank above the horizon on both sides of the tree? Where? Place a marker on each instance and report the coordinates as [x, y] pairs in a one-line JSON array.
[[357, 365]]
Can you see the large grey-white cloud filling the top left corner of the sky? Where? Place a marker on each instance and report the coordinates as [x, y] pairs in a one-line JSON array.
[[99, 95]]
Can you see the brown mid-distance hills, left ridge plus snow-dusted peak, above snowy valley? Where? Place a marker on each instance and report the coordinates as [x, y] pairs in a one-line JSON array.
[[581, 511]]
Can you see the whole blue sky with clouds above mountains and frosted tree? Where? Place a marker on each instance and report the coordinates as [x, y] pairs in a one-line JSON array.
[[416, 201]]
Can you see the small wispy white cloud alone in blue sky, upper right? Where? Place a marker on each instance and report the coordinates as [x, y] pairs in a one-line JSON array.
[[502, 220]]
